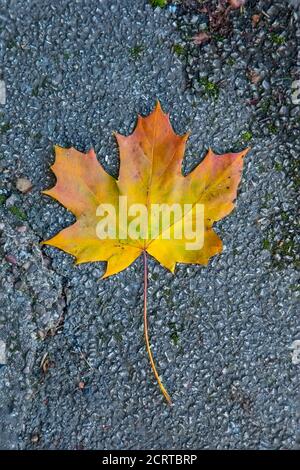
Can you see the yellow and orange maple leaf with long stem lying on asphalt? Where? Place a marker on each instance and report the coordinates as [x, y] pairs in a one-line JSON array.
[[150, 173]]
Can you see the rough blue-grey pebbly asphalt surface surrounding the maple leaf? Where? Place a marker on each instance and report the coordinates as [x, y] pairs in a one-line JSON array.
[[75, 71]]
